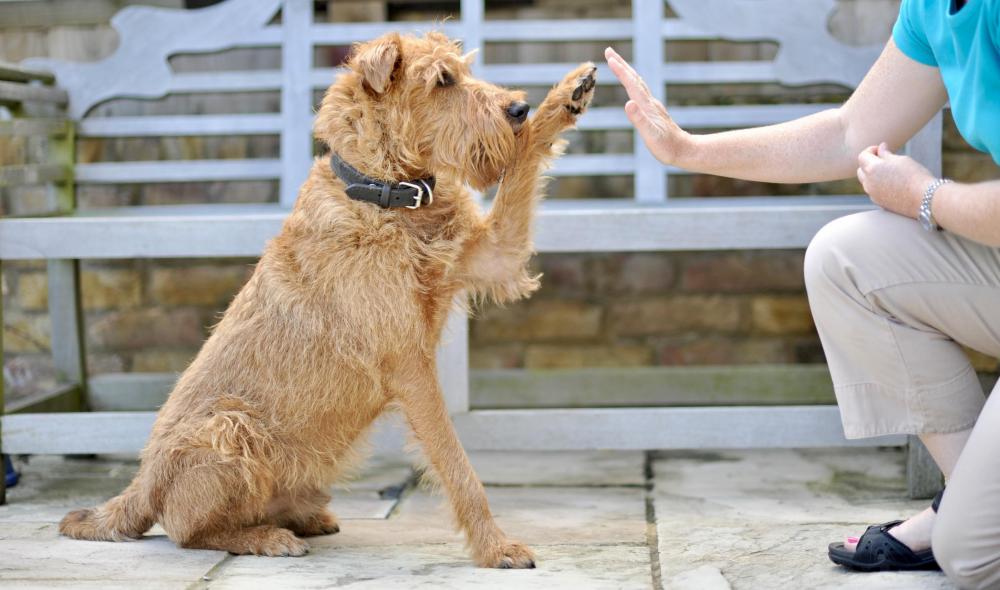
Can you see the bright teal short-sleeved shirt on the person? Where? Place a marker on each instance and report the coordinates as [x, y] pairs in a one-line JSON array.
[[965, 46]]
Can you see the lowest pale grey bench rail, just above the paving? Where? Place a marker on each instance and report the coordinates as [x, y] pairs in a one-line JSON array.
[[737, 427]]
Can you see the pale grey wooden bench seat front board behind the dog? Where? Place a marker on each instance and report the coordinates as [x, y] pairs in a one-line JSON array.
[[563, 226]]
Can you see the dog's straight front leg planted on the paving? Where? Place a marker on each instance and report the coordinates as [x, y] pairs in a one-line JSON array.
[[425, 410]]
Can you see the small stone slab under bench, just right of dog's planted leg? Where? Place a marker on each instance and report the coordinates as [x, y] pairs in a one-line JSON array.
[[560, 468]]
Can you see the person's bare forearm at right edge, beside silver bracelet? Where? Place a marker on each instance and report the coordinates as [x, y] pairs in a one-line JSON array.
[[970, 210]]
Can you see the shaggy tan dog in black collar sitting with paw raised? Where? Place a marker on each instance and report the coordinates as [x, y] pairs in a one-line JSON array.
[[343, 314]]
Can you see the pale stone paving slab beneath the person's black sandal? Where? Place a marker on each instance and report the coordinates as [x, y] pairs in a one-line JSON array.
[[763, 519]]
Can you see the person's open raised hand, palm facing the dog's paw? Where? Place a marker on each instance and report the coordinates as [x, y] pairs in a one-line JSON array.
[[662, 136]]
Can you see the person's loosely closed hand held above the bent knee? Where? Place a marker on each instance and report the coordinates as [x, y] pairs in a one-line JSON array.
[[895, 183]]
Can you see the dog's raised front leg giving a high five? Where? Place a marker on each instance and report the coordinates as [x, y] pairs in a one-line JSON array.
[[497, 259]]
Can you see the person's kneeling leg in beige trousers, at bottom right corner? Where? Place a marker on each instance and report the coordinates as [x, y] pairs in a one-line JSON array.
[[966, 537]]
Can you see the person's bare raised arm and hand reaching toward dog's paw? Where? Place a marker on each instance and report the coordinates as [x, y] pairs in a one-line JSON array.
[[896, 98]]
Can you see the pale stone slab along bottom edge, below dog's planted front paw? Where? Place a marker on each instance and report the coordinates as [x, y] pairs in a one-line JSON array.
[[570, 567]]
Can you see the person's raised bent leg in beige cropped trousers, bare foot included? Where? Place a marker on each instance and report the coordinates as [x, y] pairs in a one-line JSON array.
[[892, 303]]
